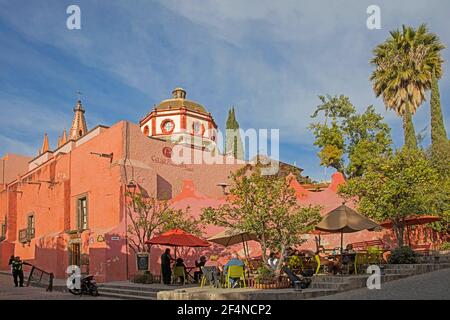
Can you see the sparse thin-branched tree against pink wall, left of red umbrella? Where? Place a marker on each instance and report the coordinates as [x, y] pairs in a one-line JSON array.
[[149, 217]]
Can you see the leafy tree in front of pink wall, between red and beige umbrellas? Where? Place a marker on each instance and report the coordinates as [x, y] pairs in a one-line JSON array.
[[267, 207]]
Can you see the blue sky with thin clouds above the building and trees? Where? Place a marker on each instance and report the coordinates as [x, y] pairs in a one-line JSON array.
[[269, 59]]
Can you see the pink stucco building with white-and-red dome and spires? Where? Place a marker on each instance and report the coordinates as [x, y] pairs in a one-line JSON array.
[[67, 205]]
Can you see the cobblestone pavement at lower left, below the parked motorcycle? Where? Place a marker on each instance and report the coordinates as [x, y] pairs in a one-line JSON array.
[[9, 292]]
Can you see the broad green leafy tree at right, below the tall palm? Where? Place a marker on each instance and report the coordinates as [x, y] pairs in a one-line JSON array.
[[397, 186]]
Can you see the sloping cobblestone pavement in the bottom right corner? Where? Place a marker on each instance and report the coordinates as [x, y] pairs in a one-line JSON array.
[[434, 285]]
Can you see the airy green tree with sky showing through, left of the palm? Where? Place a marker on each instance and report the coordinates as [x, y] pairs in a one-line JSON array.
[[349, 141]]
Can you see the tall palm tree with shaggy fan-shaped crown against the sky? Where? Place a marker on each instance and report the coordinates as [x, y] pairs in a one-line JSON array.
[[404, 66]]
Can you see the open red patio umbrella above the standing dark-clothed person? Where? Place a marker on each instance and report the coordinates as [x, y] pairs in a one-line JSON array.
[[178, 238]]
